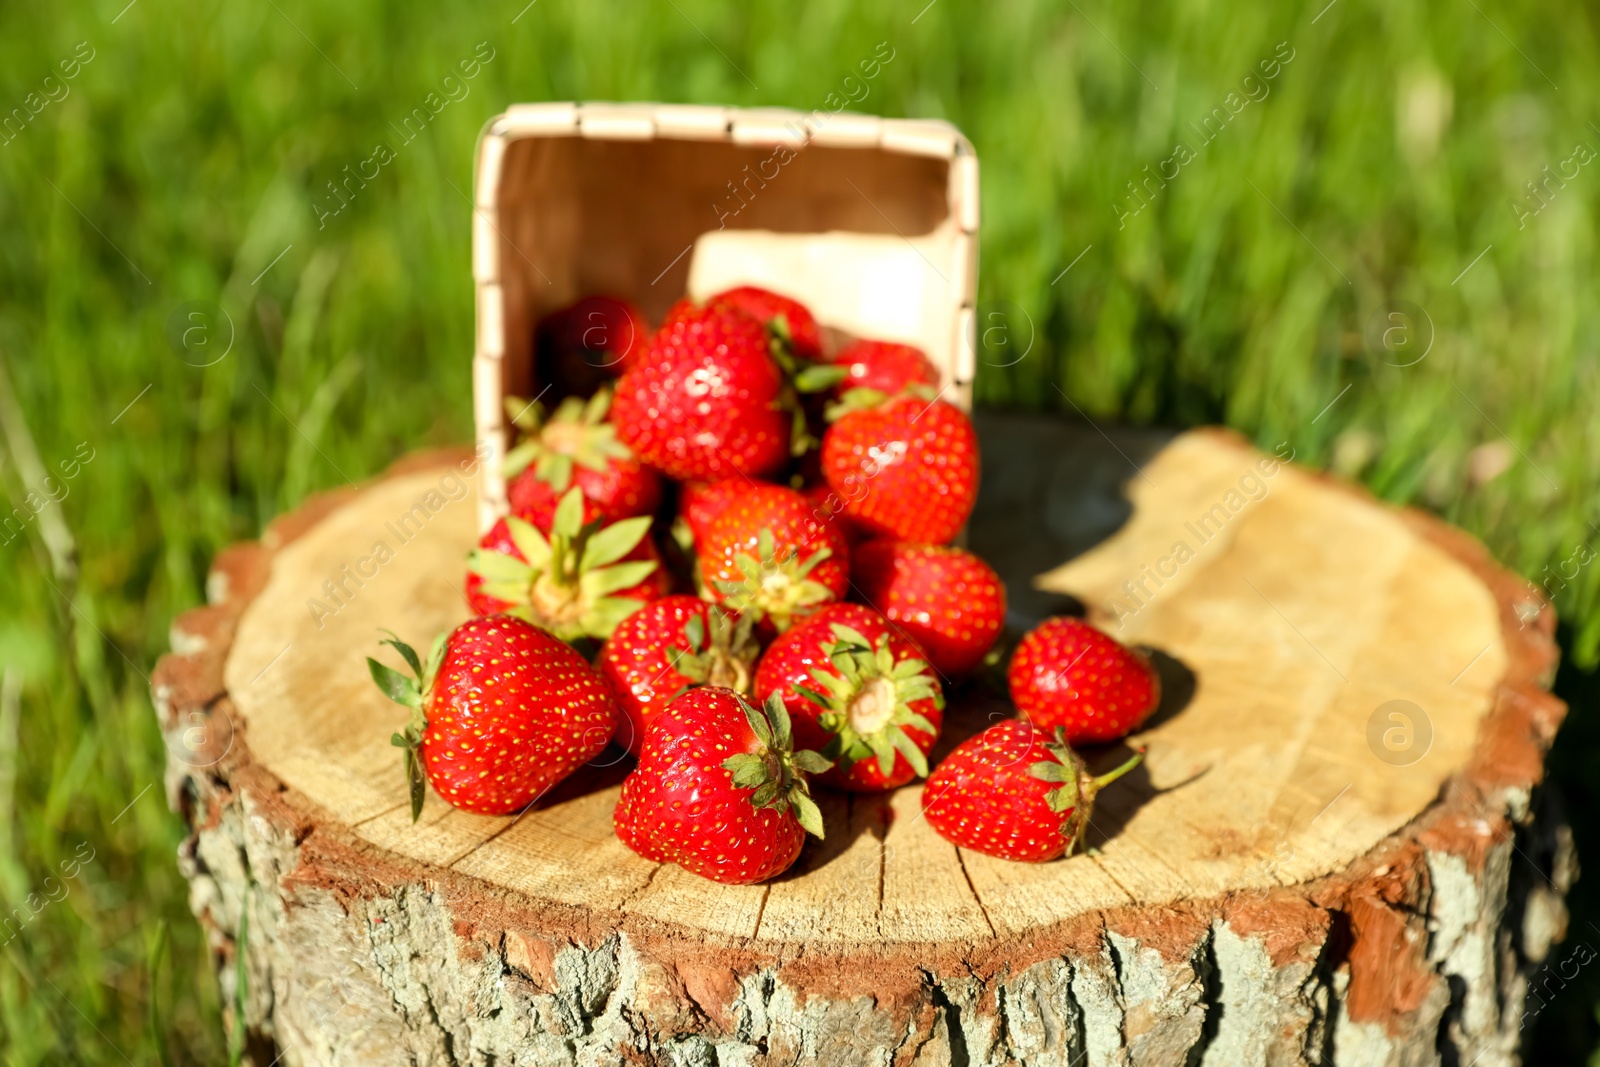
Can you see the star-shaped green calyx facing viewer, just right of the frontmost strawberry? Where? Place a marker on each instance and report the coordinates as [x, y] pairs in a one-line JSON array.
[[868, 703]]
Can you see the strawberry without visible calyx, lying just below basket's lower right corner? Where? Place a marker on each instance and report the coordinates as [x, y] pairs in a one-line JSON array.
[[945, 599]]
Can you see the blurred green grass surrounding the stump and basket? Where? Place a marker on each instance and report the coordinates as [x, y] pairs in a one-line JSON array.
[[1382, 174]]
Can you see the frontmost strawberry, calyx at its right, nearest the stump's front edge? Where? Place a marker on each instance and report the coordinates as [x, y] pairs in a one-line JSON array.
[[719, 789]]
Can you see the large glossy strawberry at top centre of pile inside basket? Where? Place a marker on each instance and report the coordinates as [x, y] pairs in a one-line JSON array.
[[705, 401]]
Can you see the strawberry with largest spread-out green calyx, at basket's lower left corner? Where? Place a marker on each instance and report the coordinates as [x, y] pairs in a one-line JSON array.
[[578, 581]]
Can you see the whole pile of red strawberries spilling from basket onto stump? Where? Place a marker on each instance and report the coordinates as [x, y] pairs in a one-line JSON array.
[[729, 553]]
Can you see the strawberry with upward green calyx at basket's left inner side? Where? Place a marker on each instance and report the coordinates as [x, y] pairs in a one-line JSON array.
[[575, 447]]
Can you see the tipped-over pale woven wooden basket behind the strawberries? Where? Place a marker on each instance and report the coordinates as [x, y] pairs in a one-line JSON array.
[[870, 222]]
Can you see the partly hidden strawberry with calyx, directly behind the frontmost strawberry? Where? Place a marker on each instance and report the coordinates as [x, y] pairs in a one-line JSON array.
[[668, 647]]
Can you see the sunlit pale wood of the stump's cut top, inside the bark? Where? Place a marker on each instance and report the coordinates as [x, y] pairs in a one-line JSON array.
[[1303, 613]]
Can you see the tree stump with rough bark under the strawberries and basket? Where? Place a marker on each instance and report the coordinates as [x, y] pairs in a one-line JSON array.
[[1334, 853]]
